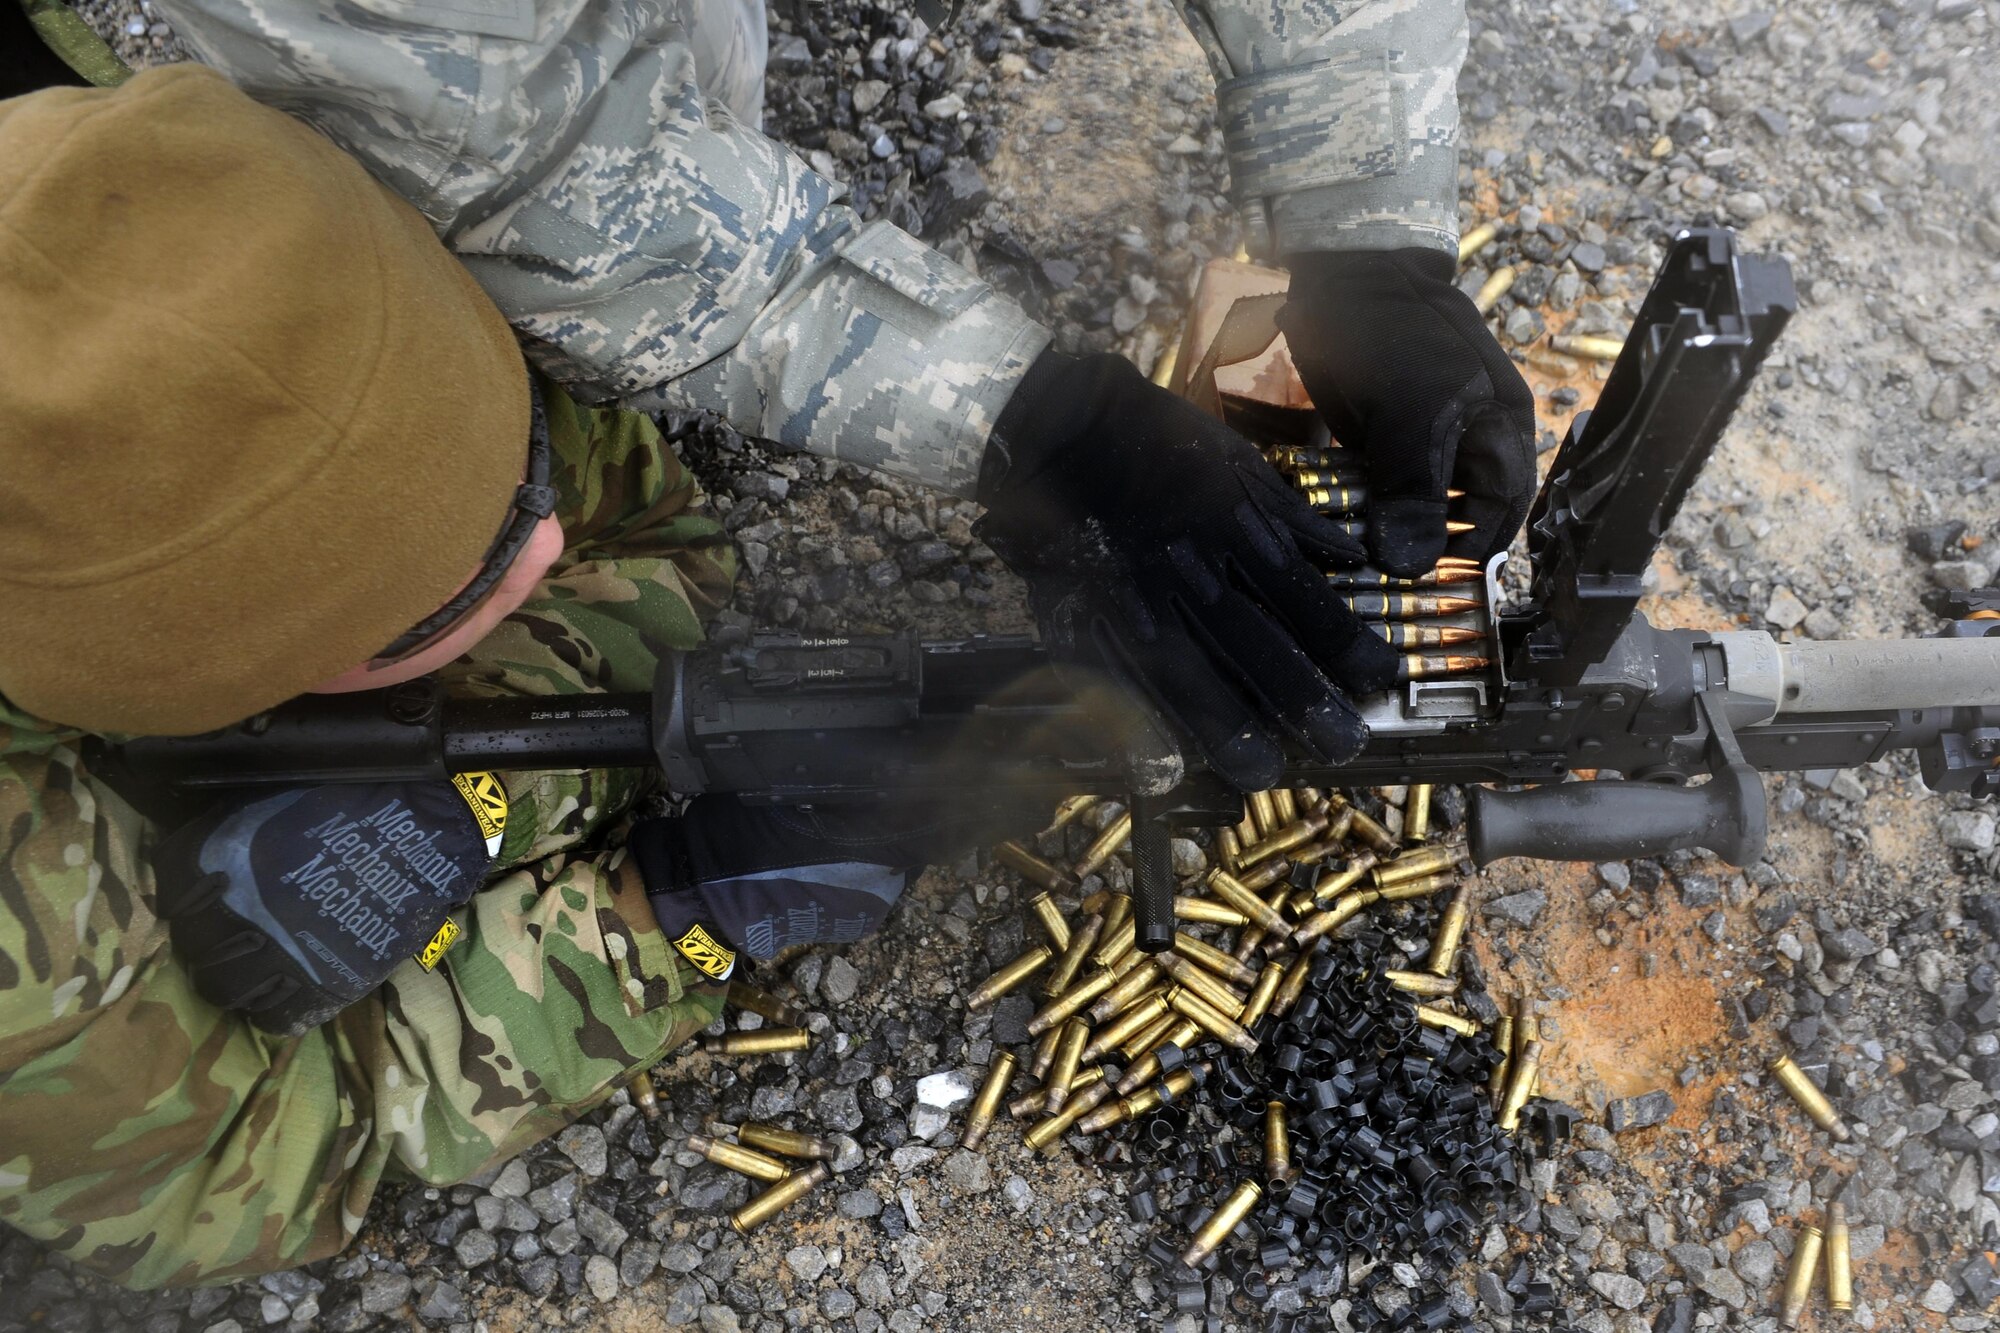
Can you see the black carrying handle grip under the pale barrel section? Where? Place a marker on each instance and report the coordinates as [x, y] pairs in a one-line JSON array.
[[1619, 820]]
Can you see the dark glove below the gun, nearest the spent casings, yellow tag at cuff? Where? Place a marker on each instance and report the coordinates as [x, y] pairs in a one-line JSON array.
[[727, 878]]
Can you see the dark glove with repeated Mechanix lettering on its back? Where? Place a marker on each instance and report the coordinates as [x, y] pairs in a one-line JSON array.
[[293, 906]]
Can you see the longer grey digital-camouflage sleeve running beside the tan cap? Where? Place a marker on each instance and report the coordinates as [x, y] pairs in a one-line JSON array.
[[645, 243]]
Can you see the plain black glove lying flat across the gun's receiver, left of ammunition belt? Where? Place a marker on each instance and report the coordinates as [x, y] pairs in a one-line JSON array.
[[1161, 549]]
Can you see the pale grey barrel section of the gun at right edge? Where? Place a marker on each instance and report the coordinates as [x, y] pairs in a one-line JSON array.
[[1891, 674]]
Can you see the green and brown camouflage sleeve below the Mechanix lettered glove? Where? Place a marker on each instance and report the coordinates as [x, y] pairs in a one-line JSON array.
[[161, 1142]]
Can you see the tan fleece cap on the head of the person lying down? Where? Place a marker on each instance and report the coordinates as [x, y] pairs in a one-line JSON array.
[[255, 421]]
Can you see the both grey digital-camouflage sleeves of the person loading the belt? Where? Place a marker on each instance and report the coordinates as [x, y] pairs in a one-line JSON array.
[[651, 245]]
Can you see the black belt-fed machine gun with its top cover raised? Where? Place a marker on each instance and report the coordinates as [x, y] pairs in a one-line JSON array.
[[1581, 682]]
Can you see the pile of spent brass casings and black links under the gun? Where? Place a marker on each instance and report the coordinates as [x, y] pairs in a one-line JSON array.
[[1285, 1100]]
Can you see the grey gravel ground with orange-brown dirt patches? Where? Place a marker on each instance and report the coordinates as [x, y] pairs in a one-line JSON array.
[[1069, 153]]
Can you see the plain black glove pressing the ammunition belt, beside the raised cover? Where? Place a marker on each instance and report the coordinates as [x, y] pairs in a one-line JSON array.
[[1405, 373]]
